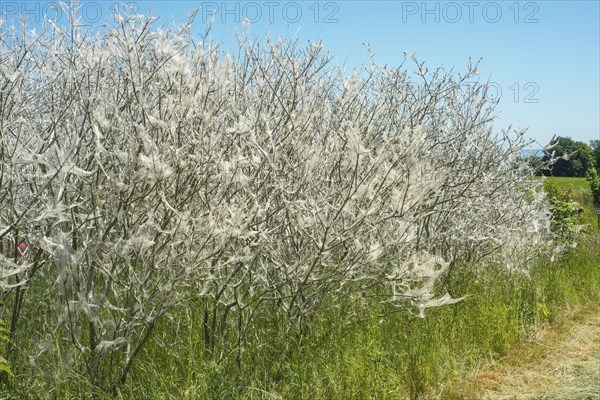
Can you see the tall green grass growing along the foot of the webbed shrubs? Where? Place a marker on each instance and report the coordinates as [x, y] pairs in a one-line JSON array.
[[361, 348]]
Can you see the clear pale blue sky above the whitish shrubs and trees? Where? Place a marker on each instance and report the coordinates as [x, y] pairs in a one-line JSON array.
[[543, 57]]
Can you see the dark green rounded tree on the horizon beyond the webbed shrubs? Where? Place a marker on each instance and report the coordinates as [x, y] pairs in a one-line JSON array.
[[578, 158]]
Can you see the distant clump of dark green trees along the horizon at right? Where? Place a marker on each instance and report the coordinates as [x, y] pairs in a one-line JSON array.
[[575, 158]]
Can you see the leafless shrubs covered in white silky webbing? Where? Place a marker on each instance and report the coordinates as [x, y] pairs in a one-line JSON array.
[[146, 167]]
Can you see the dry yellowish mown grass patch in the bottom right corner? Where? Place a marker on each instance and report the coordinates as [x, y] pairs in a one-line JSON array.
[[562, 363]]
